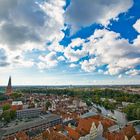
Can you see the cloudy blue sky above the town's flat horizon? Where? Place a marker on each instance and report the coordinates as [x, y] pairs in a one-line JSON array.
[[70, 42]]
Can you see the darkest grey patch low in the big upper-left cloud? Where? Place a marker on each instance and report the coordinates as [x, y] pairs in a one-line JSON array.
[[12, 35]]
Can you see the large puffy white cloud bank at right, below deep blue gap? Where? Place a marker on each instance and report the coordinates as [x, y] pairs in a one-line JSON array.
[[105, 48]]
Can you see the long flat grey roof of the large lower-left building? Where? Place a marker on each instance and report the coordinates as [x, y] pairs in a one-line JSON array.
[[27, 125]]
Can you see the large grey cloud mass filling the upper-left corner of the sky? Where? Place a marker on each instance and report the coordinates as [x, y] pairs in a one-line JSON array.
[[21, 21]]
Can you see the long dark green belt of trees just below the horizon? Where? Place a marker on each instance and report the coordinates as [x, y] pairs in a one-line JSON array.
[[86, 92]]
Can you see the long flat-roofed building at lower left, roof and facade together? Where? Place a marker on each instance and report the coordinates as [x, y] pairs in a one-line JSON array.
[[41, 123]]
